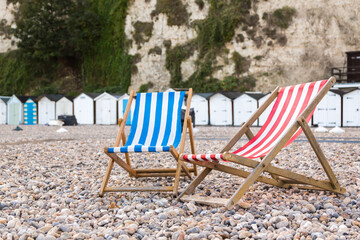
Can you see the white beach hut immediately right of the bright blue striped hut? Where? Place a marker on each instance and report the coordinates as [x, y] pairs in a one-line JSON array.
[[47, 107]]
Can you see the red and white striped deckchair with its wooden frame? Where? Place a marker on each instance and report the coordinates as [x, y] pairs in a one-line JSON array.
[[289, 116]]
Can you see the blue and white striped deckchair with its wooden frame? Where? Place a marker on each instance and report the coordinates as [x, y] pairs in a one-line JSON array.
[[156, 127]]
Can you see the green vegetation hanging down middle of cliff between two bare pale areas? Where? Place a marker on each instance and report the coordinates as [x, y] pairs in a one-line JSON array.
[[213, 33]]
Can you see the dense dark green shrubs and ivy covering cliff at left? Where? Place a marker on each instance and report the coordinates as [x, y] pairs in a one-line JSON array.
[[67, 46]]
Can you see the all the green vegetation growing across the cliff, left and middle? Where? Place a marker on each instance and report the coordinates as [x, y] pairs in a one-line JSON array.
[[69, 46]]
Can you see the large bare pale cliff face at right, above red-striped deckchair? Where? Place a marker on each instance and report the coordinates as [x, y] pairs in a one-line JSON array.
[[317, 40]]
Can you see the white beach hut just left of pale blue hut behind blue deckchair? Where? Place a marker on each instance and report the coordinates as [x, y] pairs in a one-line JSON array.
[[106, 108]]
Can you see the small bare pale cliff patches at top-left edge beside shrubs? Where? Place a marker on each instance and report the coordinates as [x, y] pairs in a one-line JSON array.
[[7, 17]]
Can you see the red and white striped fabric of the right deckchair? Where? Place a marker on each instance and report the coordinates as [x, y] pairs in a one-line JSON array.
[[290, 103]]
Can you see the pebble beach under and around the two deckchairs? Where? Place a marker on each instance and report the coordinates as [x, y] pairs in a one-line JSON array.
[[50, 182]]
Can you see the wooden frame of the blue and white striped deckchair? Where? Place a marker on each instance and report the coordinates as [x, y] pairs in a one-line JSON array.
[[180, 170]]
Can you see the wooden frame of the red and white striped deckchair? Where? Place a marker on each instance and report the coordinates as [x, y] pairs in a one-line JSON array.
[[279, 177]]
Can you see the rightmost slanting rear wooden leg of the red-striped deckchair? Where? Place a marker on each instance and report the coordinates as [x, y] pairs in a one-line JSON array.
[[319, 153]]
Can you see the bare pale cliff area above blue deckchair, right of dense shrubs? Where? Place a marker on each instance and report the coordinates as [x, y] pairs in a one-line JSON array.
[[151, 67]]
